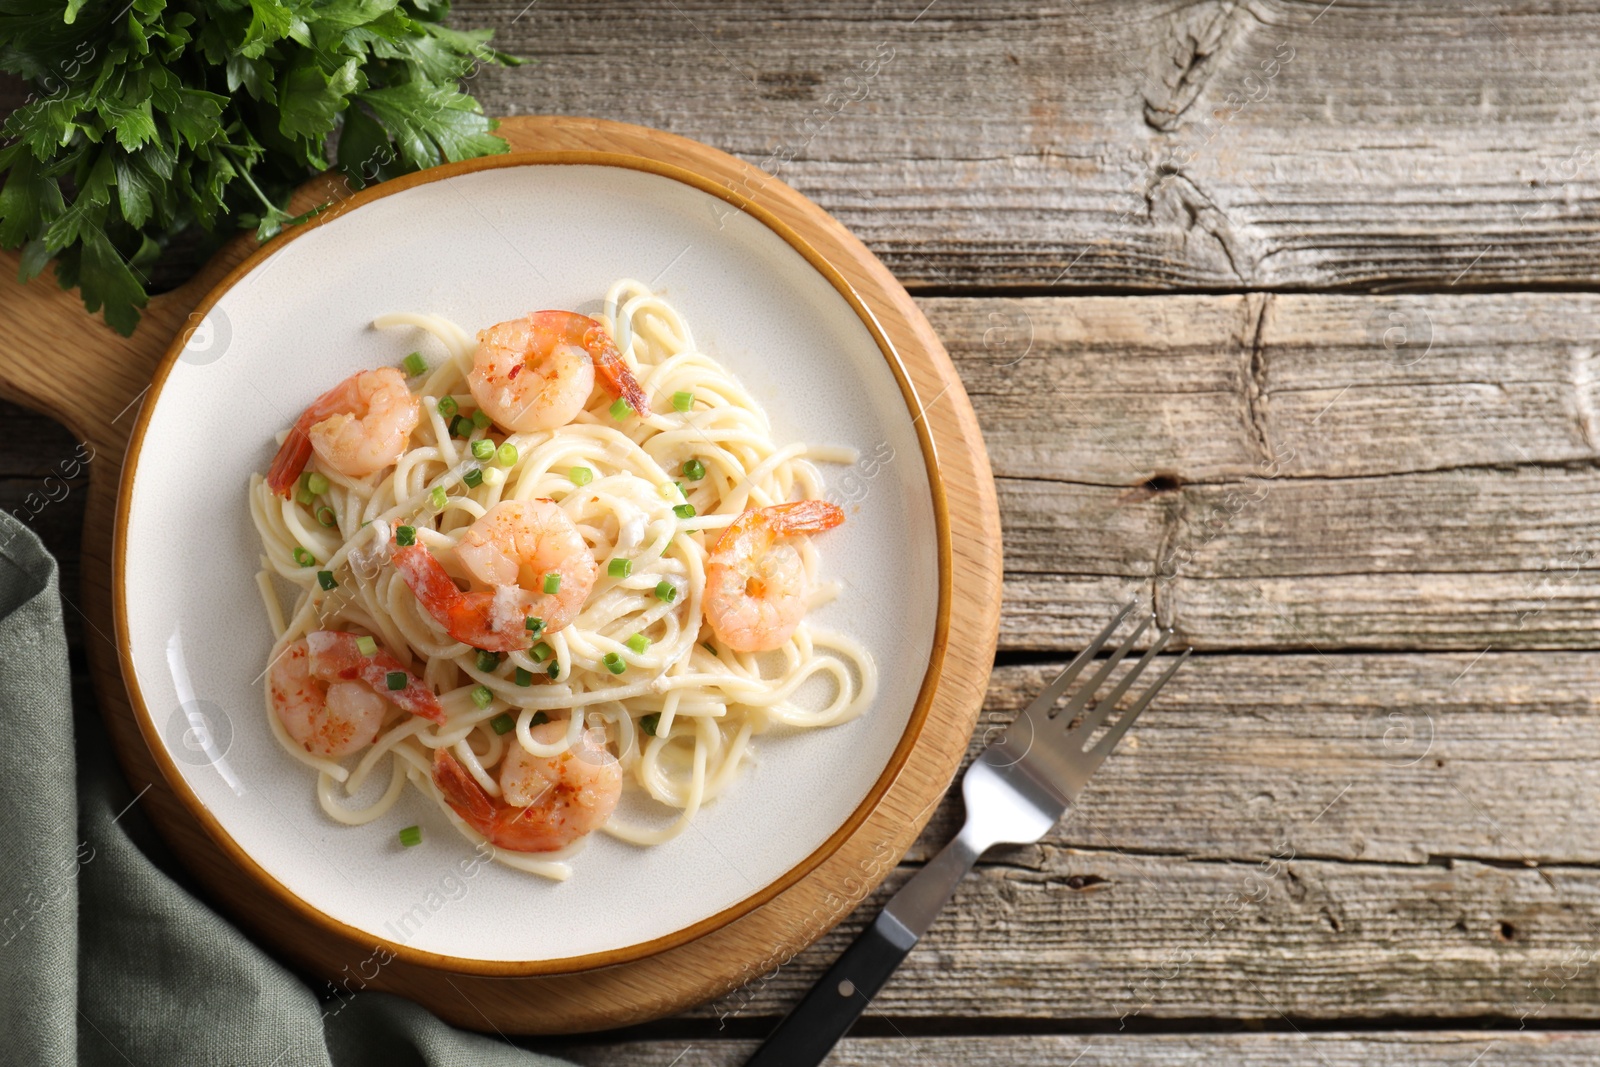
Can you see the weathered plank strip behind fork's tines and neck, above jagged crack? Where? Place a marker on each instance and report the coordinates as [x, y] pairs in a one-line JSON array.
[[1394, 759]]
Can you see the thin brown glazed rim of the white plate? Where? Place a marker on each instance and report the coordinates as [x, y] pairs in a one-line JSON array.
[[610, 957]]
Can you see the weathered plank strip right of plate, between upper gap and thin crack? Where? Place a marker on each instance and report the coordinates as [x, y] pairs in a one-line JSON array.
[[1113, 391]]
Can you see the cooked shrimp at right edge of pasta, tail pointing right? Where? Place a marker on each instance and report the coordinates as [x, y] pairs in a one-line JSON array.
[[756, 583]]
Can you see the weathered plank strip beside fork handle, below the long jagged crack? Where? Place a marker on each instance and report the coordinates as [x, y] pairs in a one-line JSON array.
[[1118, 935]]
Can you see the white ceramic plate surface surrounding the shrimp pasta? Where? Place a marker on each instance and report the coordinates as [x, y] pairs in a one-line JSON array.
[[482, 247]]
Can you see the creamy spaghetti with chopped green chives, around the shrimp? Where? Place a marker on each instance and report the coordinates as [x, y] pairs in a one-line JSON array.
[[638, 676]]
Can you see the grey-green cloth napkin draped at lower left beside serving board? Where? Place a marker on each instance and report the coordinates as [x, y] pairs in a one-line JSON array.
[[105, 957]]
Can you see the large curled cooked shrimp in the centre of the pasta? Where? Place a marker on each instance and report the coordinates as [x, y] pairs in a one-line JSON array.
[[519, 549]]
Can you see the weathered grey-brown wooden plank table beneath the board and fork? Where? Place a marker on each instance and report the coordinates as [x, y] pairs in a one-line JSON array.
[[1289, 318]]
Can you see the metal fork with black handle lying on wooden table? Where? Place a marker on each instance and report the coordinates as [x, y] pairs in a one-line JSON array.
[[1015, 791]]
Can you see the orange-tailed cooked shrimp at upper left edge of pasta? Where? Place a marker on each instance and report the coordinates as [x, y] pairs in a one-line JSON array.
[[358, 428]]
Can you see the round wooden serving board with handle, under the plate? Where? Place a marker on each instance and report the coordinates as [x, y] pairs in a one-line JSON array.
[[60, 361]]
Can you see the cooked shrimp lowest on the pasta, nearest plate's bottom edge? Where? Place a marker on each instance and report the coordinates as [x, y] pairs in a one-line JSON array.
[[546, 802]]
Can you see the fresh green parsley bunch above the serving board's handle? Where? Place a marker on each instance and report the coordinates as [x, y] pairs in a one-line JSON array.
[[156, 122]]
